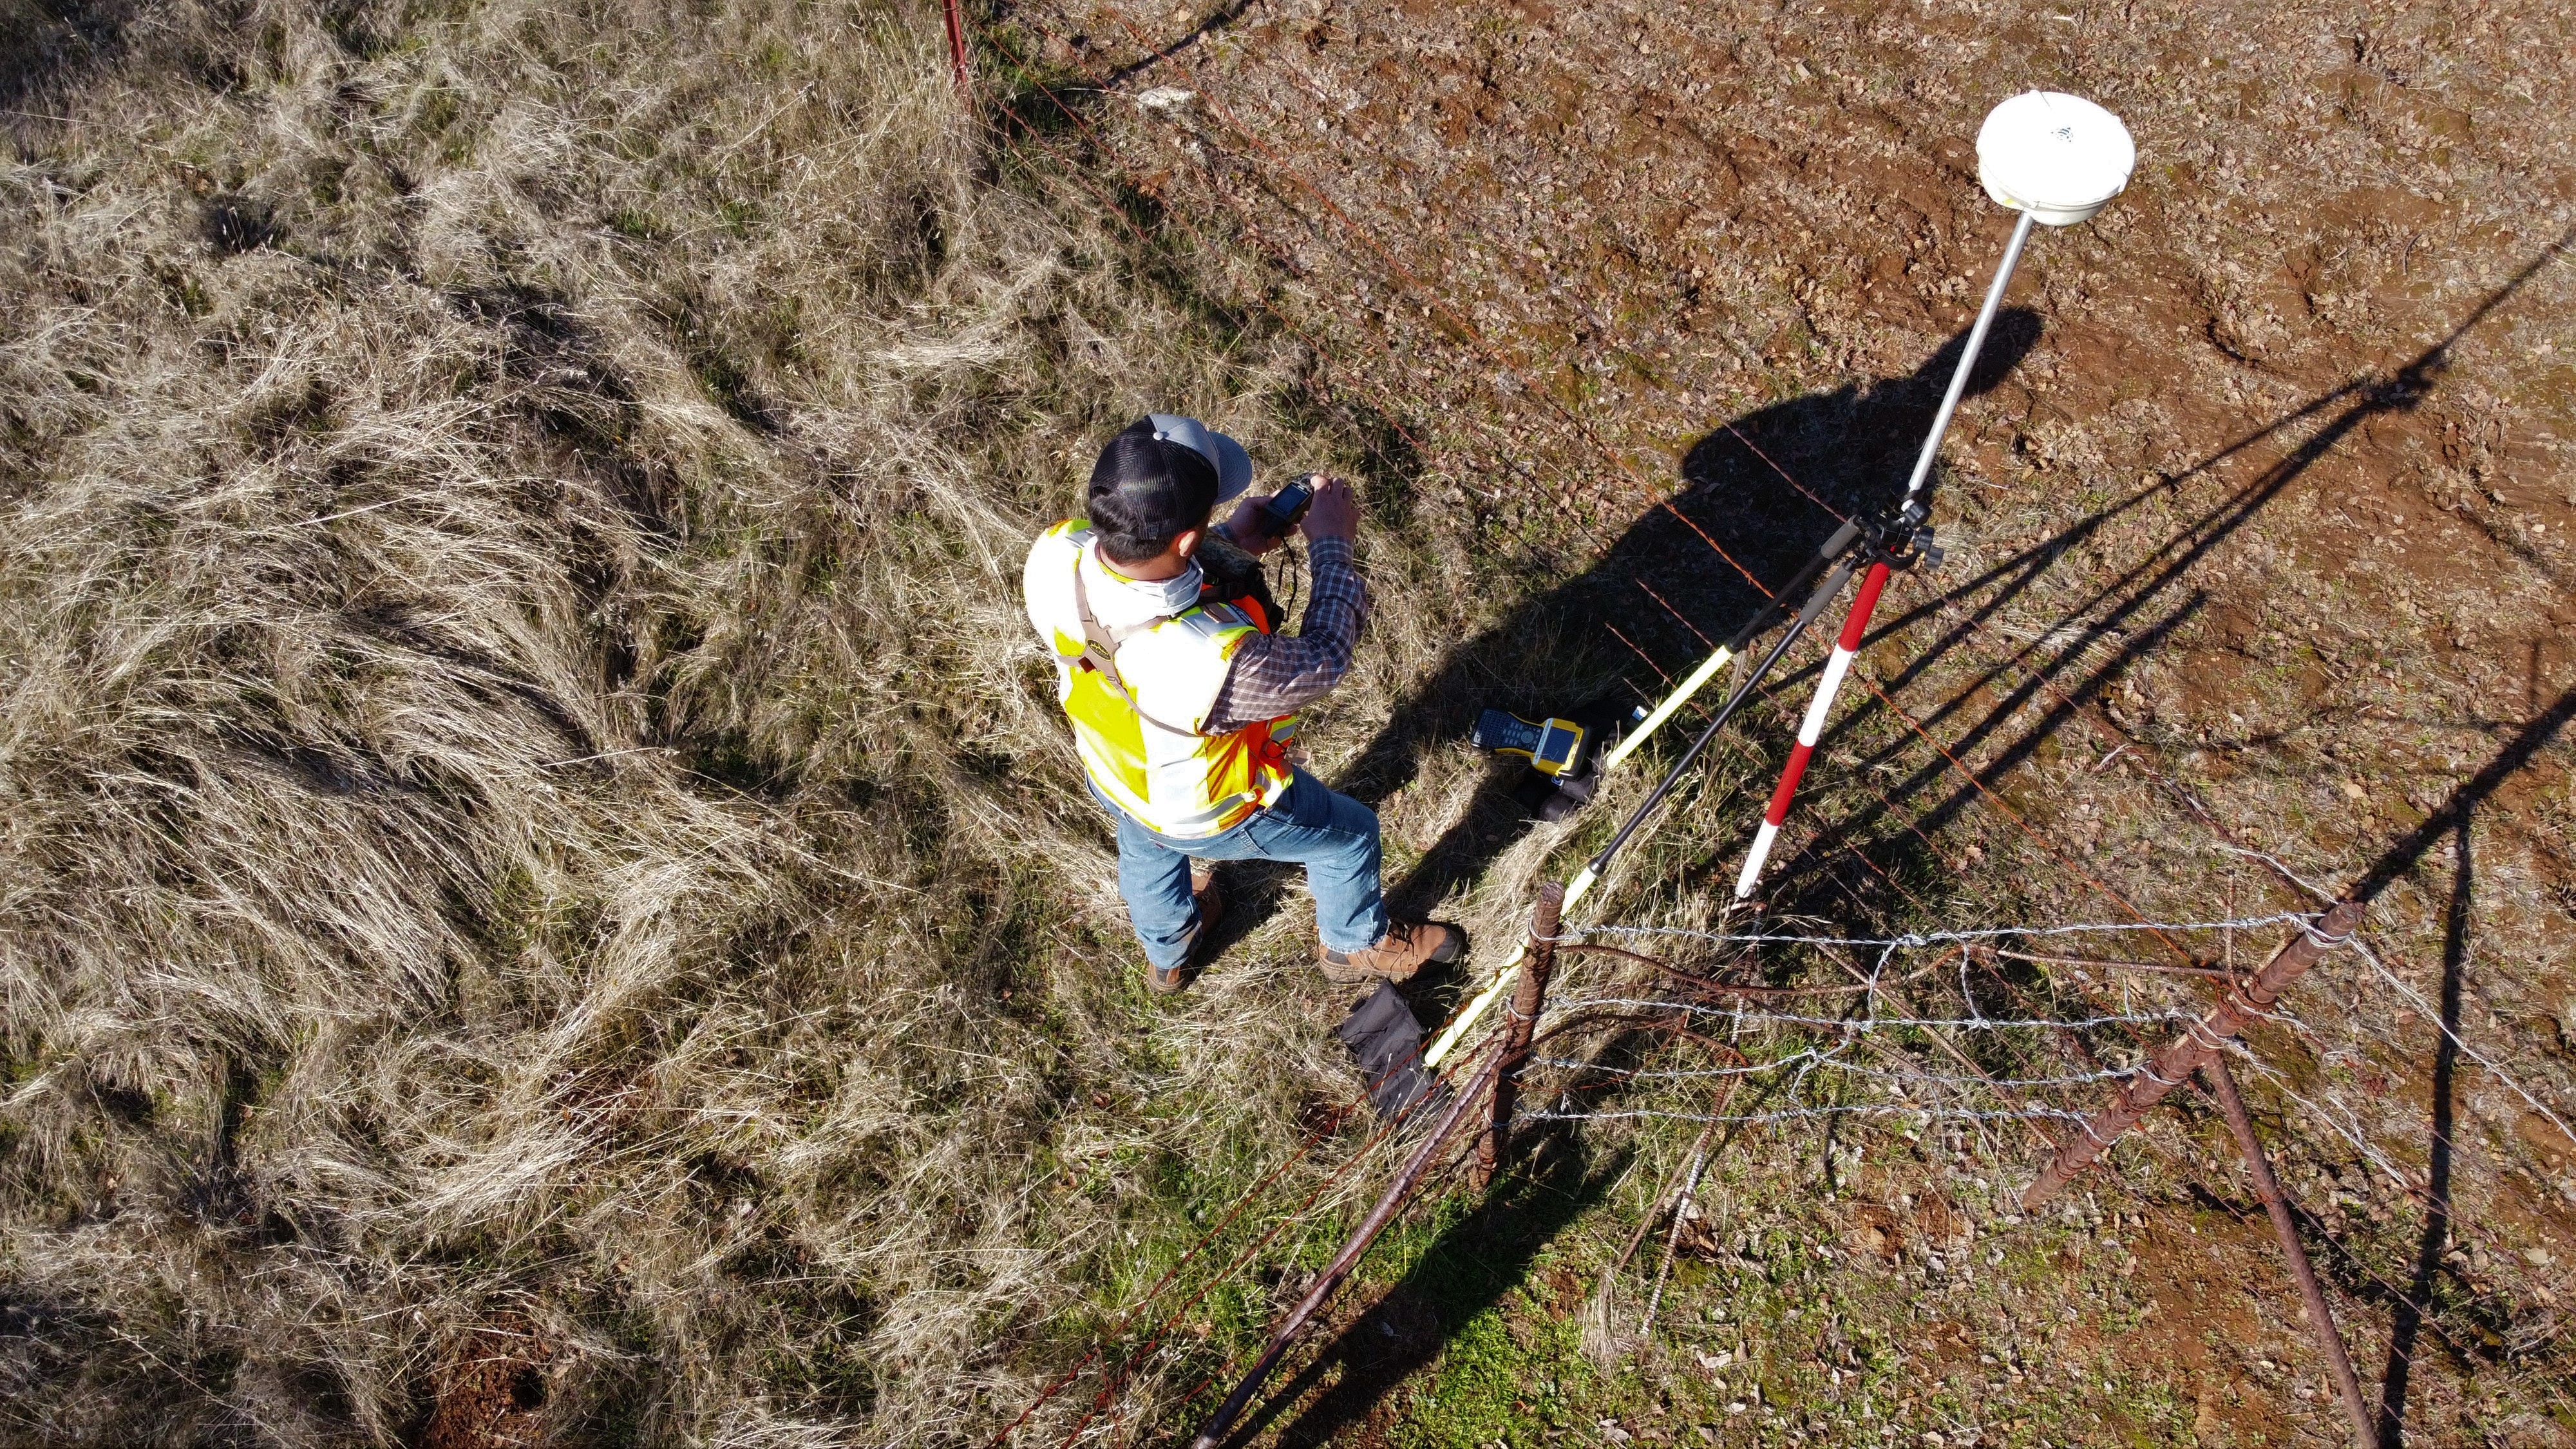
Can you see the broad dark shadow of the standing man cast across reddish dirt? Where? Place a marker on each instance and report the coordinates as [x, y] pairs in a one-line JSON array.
[[1671, 589]]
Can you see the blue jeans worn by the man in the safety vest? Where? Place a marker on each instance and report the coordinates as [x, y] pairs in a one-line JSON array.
[[1328, 834]]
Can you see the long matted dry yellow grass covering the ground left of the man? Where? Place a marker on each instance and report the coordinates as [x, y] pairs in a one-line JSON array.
[[524, 793]]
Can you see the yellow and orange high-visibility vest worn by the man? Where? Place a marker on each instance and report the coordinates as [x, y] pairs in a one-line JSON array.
[[1140, 697]]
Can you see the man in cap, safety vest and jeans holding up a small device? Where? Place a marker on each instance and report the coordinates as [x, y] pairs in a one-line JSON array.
[[1184, 700]]
